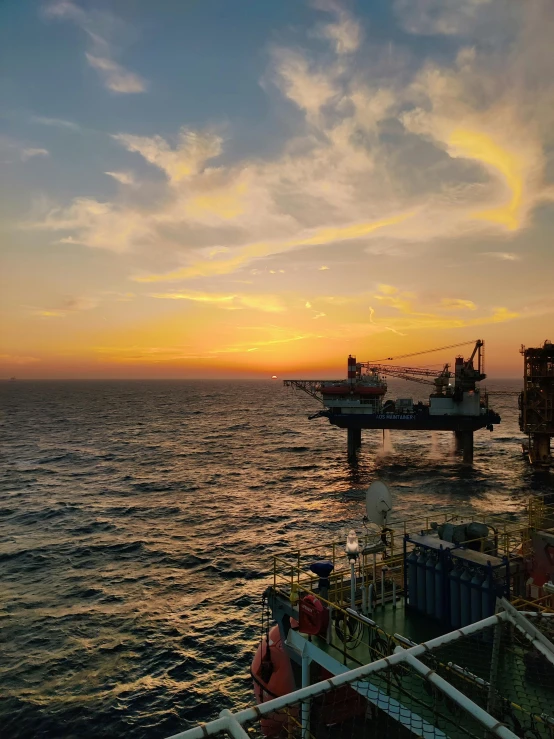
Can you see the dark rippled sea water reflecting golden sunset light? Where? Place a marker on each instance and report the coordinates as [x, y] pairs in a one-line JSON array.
[[137, 526]]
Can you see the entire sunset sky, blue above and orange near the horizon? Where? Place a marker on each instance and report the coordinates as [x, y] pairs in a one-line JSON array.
[[241, 188]]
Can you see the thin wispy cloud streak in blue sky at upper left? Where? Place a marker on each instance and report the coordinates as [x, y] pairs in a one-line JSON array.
[[102, 30]]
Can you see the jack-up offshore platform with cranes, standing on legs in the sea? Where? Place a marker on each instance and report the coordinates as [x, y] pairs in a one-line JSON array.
[[456, 403]]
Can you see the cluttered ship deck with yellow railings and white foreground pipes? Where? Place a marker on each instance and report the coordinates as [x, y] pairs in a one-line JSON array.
[[378, 668]]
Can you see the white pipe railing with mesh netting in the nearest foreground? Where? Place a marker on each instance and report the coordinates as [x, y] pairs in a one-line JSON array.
[[427, 692]]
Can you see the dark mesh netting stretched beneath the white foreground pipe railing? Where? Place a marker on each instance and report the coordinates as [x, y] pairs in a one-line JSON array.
[[498, 669]]
